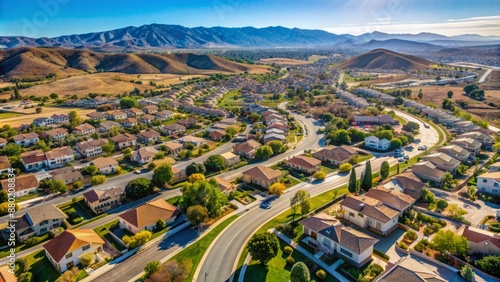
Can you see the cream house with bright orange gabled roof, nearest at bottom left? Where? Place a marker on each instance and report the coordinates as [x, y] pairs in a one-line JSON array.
[[65, 250]]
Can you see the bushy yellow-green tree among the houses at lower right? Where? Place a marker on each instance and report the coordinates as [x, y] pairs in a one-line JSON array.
[[448, 241]]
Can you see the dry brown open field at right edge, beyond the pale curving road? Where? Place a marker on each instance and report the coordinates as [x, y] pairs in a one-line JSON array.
[[436, 95]]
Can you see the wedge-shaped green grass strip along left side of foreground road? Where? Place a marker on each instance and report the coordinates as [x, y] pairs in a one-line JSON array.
[[195, 252]]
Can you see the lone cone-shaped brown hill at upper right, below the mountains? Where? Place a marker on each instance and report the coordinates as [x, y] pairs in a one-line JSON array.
[[385, 59]]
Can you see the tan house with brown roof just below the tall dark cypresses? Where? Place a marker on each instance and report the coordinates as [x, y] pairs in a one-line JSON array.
[[370, 213]]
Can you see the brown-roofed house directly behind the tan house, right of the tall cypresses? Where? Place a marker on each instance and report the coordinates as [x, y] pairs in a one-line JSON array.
[[391, 198]]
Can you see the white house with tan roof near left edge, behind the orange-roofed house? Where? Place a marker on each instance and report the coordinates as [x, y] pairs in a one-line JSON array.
[[38, 221]]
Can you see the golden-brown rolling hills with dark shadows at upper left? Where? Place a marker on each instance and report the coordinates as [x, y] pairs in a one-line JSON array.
[[35, 63]]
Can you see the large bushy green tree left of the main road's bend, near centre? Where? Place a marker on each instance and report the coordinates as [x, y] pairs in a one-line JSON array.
[[206, 194]]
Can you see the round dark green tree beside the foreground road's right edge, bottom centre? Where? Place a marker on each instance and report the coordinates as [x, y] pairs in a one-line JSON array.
[[263, 247]]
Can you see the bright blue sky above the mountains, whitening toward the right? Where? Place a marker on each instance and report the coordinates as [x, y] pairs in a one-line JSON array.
[[39, 18]]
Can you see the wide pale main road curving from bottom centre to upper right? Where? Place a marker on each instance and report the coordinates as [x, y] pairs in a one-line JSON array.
[[221, 260]]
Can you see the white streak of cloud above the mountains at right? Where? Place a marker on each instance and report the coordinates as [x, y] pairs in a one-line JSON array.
[[475, 25]]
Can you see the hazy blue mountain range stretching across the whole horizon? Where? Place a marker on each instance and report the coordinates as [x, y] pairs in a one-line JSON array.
[[161, 36]]
